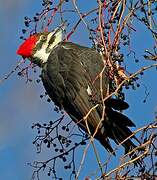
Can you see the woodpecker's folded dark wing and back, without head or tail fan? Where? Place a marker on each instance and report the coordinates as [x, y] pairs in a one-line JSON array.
[[69, 78]]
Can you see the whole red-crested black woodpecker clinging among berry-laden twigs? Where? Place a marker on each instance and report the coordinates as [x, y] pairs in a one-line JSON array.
[[71, 77]]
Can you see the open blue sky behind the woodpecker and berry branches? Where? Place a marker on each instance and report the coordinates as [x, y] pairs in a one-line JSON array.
[[20, 104]]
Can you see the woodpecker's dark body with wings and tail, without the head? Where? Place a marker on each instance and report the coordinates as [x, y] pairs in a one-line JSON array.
[[71, 79]]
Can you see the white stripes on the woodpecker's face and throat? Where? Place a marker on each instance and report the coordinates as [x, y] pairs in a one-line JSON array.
[[42, 53]]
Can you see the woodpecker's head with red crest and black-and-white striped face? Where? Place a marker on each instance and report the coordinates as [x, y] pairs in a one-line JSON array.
[[38, 47]]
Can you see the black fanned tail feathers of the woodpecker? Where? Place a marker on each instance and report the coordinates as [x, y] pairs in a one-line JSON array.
[[116, 127]]
